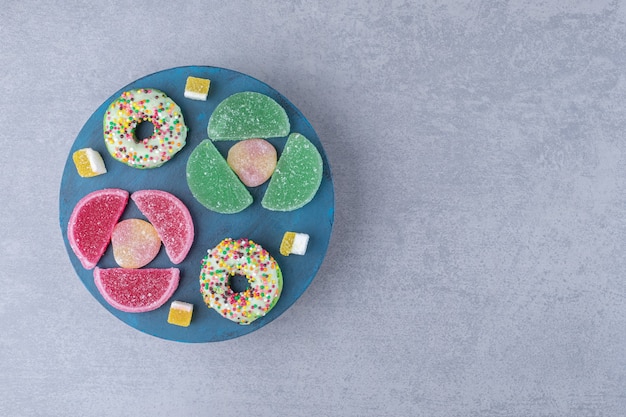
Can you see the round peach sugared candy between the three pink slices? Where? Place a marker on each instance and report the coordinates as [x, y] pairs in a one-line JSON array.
[[135, 243]]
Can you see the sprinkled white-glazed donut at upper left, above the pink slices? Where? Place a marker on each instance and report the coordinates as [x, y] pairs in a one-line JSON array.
[[138, 106]]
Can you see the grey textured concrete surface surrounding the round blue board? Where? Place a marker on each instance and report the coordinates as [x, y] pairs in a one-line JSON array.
[[477, 262]]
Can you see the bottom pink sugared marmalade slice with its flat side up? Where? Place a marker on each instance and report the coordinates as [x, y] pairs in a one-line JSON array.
[[136, 290]]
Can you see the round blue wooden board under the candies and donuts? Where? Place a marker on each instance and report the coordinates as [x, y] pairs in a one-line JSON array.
[[263, 226]]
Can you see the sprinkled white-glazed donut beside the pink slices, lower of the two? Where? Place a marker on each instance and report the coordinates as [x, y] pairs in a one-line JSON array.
[[246, 258]]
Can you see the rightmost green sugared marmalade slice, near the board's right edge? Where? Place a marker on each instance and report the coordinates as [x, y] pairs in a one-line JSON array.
[[297, 177]]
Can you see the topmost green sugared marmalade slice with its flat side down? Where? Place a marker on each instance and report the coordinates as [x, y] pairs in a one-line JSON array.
[[248, 115]]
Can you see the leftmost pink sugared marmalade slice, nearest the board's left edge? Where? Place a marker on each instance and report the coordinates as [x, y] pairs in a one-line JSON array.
[[92, 221]]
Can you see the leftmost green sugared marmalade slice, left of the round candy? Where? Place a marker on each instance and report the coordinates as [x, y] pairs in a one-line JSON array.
[[213, 183]]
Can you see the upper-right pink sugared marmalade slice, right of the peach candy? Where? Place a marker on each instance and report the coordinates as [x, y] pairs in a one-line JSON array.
[[171, 219]]
